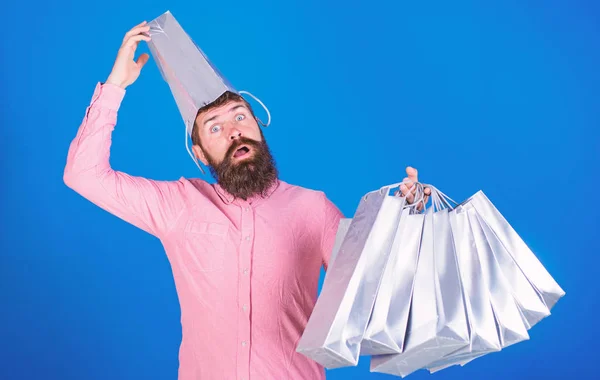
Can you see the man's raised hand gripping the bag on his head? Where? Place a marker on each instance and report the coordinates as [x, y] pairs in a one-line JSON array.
[[125, 70]]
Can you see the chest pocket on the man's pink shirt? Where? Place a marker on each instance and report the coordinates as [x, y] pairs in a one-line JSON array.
[[204, 244]]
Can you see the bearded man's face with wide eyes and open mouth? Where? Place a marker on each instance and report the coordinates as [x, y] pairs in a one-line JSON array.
[[233, 146]]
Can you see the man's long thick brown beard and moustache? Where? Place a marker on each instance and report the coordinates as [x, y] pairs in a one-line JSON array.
[[249, 176]]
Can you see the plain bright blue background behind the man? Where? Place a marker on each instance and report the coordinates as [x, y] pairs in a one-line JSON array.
[[498, 96]]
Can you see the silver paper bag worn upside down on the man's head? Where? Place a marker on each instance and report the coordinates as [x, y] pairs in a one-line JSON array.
[[194, 81]]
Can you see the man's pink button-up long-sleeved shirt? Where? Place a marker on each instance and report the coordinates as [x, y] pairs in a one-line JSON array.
[[246, 273]]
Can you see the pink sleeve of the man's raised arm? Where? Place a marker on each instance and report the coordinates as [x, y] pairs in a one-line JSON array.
[[148, 204]]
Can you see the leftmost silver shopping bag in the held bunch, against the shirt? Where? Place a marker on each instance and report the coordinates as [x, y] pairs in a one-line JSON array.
[[337, 324]]
